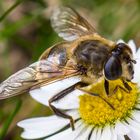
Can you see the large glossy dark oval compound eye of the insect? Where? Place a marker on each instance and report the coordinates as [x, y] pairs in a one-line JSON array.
[[113, 68]]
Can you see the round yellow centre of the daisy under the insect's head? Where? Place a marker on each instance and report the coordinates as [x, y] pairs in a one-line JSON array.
[[97, 111]]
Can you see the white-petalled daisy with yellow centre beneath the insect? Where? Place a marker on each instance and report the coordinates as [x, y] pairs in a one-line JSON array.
[[94, 118]]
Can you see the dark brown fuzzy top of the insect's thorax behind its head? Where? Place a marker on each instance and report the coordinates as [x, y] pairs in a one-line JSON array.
[[92, 55]]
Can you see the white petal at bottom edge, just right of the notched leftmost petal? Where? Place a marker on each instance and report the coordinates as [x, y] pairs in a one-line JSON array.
[[68, 133]]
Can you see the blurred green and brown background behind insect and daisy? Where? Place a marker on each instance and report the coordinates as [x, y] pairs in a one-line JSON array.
[[25, 32]]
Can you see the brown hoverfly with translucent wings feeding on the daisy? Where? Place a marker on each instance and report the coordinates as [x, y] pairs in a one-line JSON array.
[[84, 53]]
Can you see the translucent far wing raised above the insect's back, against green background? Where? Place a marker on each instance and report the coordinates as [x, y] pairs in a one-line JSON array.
[[69, 24]]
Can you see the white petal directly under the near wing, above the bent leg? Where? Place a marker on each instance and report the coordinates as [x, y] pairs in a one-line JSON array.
[[43, 94]]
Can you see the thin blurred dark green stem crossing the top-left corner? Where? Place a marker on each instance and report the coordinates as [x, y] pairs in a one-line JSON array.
[[10, 9]]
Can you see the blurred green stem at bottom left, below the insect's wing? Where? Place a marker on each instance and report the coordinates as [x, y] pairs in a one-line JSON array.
[[10, 118]]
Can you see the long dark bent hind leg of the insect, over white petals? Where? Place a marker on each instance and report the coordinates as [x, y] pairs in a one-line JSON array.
[[59, 96]]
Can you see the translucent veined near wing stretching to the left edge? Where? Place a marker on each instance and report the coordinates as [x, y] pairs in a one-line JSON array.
[[38, 74]]
